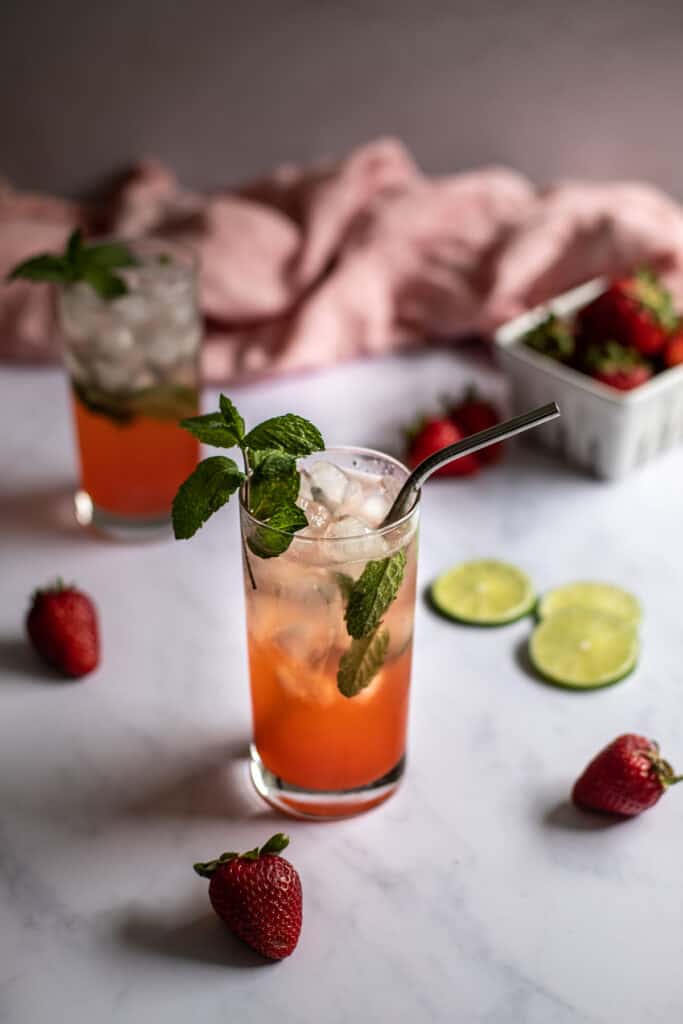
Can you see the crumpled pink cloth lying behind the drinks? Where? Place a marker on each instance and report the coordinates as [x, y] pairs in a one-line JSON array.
[[315, 266]]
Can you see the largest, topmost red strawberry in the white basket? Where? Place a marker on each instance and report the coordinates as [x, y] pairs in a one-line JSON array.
[[637, 312]]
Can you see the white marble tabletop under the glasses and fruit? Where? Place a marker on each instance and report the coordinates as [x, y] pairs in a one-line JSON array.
[[476, 895]]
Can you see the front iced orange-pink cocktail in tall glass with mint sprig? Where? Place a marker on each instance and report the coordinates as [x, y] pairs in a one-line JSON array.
[[330, 599]]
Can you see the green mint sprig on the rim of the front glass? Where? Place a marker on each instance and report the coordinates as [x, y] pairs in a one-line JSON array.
[[270, 453]]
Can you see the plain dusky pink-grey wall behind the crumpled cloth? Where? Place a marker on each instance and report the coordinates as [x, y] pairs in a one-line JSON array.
[[223, 90]]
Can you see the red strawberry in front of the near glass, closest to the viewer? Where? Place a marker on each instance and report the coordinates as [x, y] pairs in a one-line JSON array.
[[259, 895]]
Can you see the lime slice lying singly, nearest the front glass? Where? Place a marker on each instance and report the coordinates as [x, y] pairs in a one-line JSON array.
[[484, 593]]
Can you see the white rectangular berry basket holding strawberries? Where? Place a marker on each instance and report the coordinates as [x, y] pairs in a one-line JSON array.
[[606, 432]]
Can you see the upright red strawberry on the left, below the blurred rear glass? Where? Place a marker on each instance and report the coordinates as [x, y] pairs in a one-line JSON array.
[[63, 626]]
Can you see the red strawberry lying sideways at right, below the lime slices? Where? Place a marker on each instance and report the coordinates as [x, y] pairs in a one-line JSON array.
[[626, 779]]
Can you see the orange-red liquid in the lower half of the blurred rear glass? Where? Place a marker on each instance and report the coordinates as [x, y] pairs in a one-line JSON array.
[[133, 470]]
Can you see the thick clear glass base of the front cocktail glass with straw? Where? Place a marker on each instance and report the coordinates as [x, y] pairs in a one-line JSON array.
[[320, 804]]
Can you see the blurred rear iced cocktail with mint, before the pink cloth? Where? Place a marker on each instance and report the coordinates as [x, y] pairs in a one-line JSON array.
[[131, 326]]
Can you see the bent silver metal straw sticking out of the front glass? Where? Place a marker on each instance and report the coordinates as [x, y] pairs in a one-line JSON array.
[[409, 493]]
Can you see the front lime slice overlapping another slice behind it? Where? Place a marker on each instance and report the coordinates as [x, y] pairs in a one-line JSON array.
[[583, 650]]
